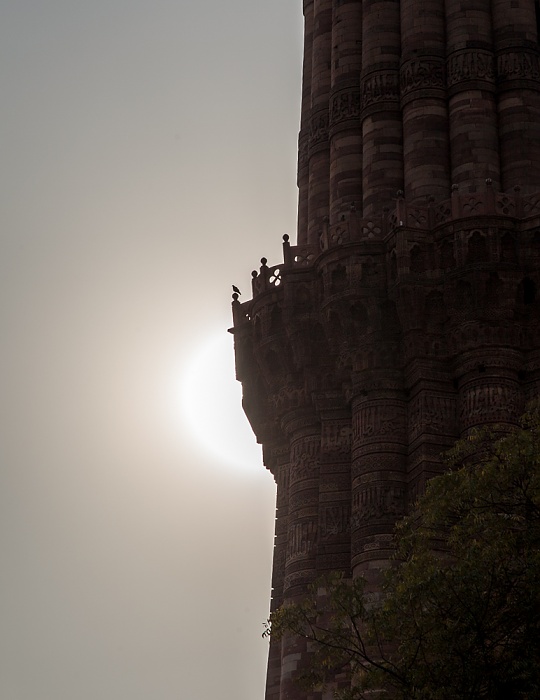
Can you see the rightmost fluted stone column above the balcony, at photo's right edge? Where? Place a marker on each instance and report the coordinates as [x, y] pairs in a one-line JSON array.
[[518, 101]]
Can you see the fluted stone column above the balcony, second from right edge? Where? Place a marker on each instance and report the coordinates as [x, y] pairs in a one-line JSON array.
[[474, 147]]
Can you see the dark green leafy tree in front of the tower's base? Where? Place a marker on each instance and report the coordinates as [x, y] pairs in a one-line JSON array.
[[459, 615]]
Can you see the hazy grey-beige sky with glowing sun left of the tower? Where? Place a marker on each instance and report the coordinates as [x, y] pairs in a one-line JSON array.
[[148, 155]]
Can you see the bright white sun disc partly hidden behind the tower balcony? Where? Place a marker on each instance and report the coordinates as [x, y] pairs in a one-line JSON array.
[[211, 404]]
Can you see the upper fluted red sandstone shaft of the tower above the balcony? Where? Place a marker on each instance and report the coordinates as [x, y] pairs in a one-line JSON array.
[[415, 97]]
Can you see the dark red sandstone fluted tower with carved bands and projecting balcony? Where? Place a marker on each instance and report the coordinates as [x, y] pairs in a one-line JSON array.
[[408, 311]]
